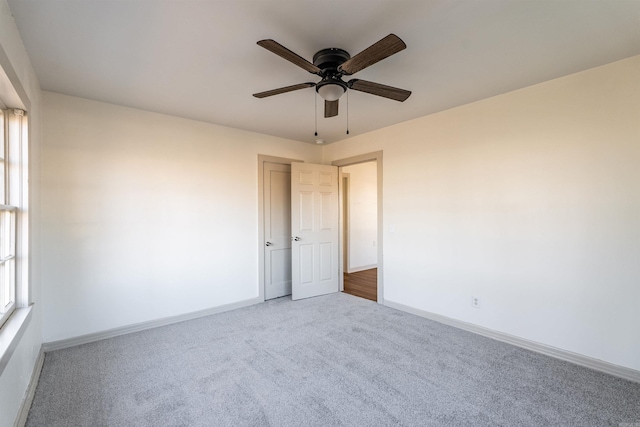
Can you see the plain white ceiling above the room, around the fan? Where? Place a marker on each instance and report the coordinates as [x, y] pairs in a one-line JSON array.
[[200, 60]]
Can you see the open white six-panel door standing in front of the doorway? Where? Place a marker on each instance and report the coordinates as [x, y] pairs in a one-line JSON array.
[[314, 230]]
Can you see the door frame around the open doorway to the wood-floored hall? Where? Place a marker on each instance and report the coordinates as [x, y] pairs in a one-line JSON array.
[[363, 158]]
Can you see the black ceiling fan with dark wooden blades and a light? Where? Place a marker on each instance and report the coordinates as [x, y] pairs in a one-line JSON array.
[[332, 64]]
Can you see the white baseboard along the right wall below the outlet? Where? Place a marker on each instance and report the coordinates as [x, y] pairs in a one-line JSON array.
[[578, 359]]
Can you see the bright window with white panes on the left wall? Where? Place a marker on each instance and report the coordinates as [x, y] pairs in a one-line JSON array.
[[12, 134]]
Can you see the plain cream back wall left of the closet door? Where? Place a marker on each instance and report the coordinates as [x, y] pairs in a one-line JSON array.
[[146, 216]]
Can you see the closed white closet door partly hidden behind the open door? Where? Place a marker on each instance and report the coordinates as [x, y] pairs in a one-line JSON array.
[[277, 230]]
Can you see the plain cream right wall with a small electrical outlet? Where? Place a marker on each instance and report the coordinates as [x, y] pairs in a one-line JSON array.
[[528, 200]]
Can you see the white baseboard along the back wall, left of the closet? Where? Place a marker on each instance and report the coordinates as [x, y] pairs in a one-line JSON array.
[[110, 333]]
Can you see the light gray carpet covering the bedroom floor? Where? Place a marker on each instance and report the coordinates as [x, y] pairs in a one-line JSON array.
[[335, 360]]
